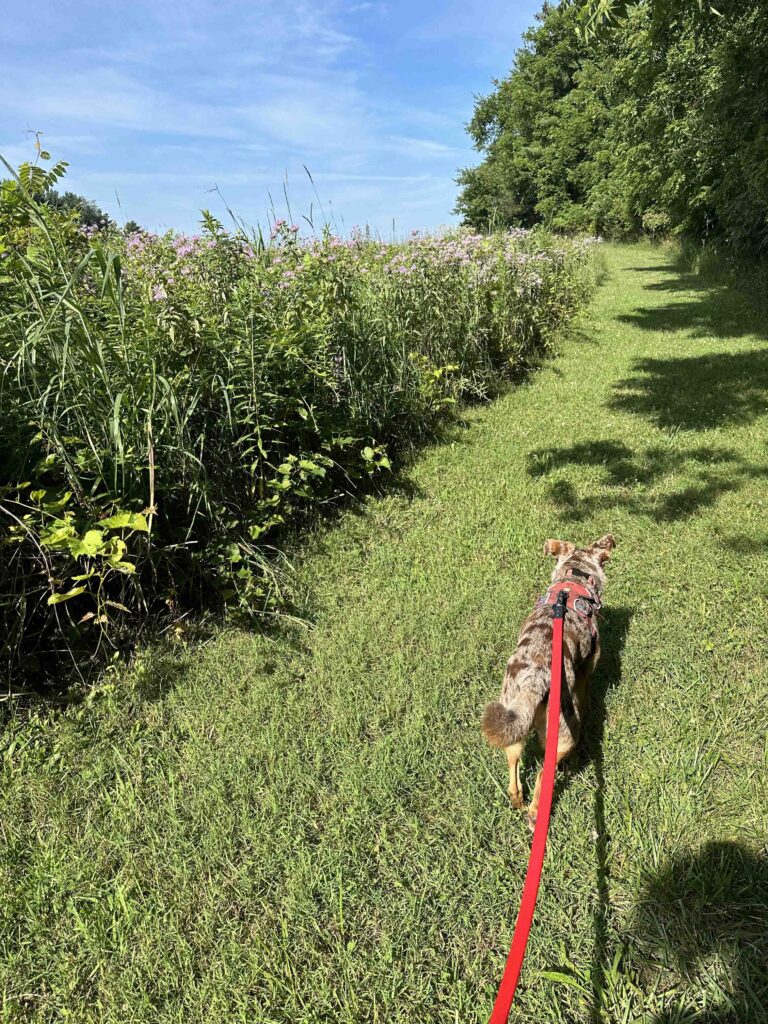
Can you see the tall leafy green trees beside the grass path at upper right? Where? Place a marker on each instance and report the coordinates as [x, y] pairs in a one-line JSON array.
[[659, 124]]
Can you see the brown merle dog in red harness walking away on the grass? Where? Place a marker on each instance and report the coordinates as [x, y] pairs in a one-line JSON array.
[[523, 704]]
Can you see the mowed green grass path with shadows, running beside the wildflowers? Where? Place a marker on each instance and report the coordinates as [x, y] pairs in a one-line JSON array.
[[309, 827]]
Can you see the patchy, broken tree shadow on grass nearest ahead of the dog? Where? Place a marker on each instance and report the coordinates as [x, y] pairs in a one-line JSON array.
[[636, 479]]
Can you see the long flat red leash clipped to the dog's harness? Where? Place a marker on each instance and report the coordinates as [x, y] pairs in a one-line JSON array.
[[508, 987]]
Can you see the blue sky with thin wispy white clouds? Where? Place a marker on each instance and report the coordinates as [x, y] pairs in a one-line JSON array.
[[157, 103]]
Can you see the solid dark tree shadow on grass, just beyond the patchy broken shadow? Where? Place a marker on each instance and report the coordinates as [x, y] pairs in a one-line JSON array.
[[698, 393]]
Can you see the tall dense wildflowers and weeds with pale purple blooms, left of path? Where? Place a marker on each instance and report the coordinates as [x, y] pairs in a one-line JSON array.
[[170, 403]]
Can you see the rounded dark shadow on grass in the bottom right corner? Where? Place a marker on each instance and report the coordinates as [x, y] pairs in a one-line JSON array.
[[706, 908]]
